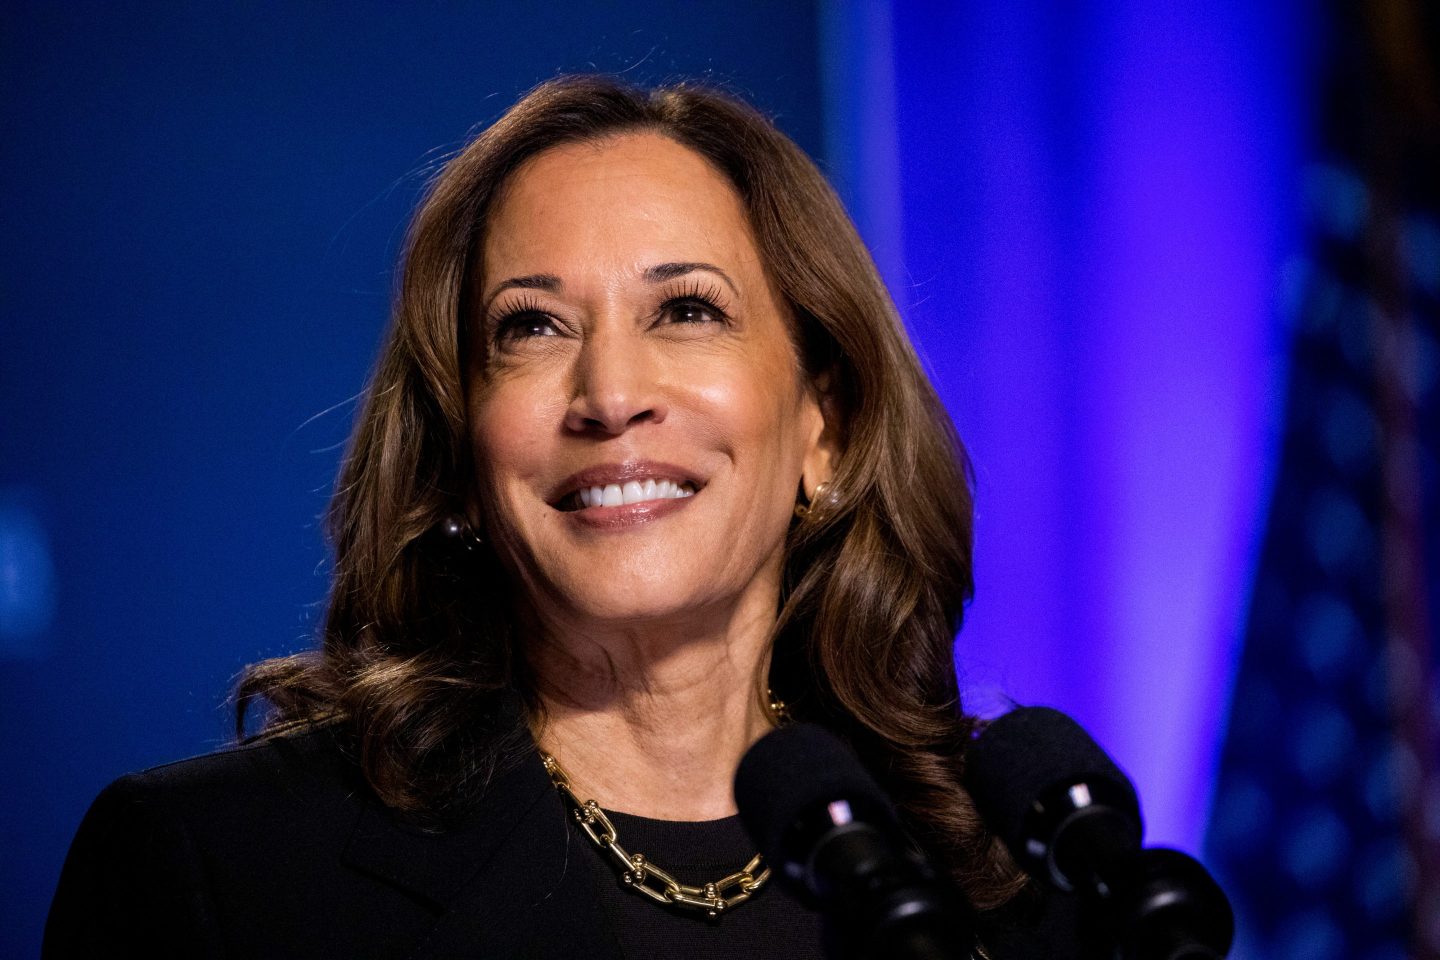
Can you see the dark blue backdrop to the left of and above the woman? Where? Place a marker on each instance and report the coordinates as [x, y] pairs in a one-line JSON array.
[[202, 209]]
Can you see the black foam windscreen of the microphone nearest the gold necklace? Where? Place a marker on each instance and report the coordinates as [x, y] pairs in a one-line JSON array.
[[796, 769]]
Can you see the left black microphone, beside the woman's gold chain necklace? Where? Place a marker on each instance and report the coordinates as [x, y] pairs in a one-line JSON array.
[[832, 836]]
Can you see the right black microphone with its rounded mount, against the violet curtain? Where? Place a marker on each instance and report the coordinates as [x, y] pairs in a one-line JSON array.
[[1074, 821]]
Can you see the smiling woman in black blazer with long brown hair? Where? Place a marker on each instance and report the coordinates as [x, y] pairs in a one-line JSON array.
[[646, 467]]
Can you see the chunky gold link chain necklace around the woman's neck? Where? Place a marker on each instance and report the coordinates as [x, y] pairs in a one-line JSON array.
[[647, 879]]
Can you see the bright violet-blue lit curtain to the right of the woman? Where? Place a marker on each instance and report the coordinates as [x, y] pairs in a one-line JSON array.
[[1095, 211]]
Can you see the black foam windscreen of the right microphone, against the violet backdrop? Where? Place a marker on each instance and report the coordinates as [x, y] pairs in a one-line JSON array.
[[1025, 755]]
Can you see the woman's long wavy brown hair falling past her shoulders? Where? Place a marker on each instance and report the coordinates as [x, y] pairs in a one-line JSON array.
[[420, 648]]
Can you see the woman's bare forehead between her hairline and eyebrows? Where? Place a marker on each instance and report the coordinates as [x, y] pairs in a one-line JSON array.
[[624, 202]]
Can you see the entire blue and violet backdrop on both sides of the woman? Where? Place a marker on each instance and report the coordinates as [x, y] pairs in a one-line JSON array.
[[1085, 212]]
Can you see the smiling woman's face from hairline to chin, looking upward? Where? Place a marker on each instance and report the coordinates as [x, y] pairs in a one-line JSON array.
[[640, 417]]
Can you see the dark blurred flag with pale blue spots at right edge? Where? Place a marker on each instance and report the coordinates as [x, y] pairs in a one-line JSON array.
[[1327, 820]]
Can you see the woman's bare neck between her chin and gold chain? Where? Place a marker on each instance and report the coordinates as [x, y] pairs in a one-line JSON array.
[[653, 719]]
